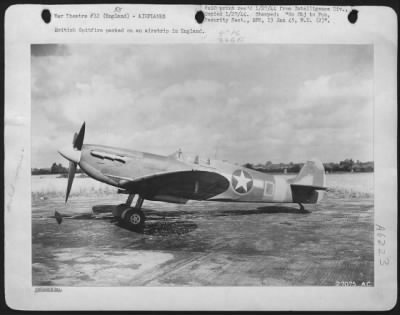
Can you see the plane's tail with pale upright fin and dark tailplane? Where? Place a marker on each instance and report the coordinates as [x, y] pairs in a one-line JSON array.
[[309, 184]]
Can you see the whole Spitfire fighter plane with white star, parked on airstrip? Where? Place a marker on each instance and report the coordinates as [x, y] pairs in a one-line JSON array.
[[177, 179]]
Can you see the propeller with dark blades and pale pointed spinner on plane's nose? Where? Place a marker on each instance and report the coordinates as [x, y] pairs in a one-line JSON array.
[[73, 155]]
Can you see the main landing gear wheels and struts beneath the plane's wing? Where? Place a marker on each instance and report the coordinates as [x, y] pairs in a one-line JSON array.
[[132, 217]]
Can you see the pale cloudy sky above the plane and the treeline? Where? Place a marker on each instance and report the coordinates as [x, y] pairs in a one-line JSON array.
[[243, 103]]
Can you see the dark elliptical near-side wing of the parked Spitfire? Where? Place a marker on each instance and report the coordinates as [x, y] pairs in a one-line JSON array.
[[191, 184]]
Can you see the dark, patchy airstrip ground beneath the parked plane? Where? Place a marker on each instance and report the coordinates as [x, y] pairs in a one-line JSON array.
[[203, 243]]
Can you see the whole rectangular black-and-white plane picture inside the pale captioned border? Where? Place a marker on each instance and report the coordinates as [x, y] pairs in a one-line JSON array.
[[218, 165]]
